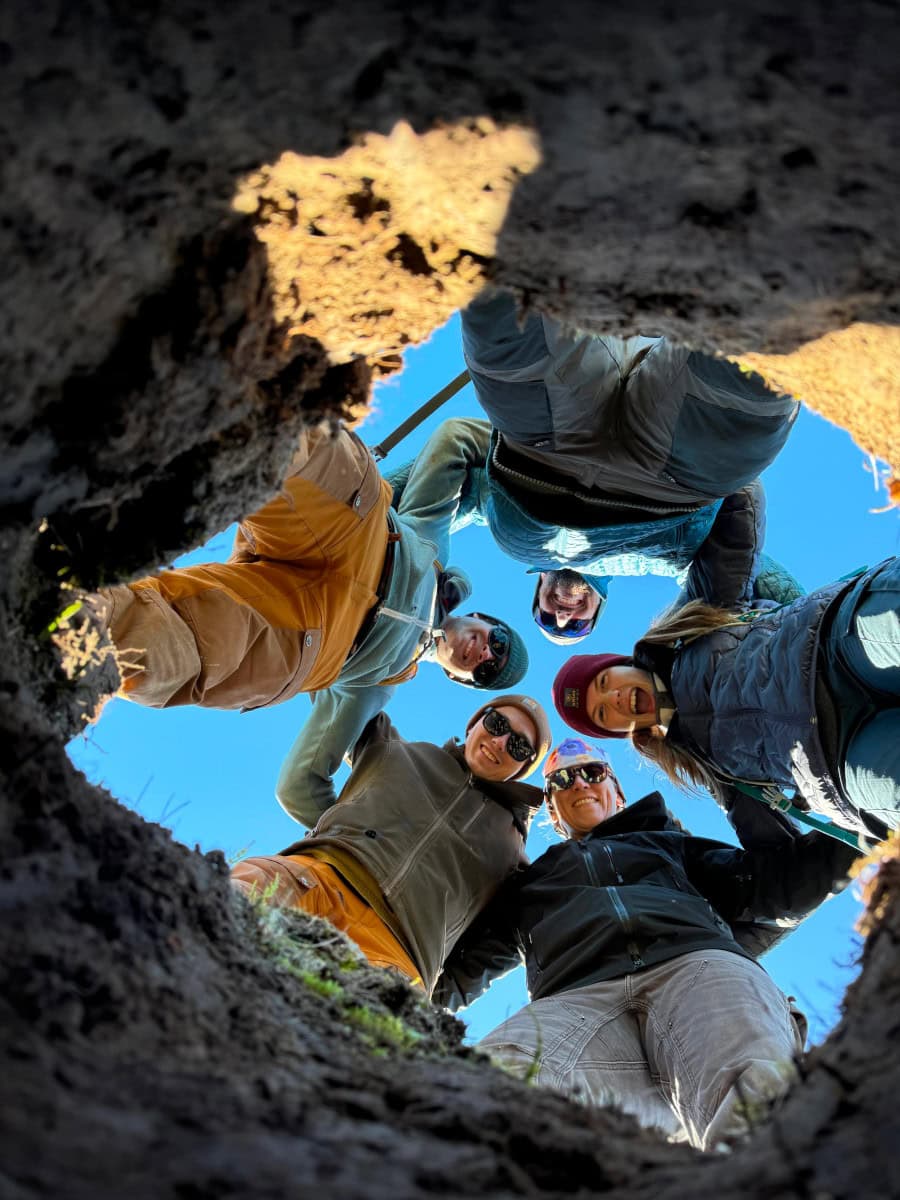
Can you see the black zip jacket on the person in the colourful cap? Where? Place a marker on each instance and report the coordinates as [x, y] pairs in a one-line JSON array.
[[633, 893]]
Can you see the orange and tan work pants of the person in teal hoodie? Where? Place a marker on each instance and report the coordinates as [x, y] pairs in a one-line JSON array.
[[283, 614]]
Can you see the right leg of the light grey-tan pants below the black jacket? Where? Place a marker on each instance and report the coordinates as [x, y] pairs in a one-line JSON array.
[[721, 1039]]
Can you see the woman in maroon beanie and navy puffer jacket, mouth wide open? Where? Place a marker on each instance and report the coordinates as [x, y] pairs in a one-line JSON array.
[[803, 698]]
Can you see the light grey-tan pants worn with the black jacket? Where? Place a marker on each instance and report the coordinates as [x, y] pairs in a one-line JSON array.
[[697, 1047]]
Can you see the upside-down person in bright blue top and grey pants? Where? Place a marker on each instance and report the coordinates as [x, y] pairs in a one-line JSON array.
[[610, 455]]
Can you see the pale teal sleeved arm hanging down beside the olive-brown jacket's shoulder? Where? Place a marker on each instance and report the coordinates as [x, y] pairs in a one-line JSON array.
[[305, 789]]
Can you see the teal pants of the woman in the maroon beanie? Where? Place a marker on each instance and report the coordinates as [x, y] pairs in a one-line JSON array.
[[863, 674]]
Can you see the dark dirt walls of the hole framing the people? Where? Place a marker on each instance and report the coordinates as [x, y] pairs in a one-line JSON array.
[[729, 179]]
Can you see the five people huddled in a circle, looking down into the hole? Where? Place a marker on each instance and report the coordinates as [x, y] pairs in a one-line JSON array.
[[601, 457]]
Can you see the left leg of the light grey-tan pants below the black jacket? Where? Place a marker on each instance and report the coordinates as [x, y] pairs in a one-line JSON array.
[[585, 1045]]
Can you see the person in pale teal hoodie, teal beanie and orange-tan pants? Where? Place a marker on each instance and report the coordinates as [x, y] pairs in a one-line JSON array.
[[327, 591]]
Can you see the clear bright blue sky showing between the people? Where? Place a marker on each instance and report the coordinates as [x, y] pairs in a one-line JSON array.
[[209, 777]]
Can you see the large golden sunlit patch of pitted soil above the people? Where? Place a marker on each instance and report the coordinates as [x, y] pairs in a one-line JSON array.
[[371, 251]]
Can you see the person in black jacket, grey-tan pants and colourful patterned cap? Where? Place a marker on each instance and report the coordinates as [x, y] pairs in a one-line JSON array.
[[644, 994]]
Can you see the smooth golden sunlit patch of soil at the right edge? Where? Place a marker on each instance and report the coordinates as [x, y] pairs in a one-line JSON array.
[[853, 377]]
